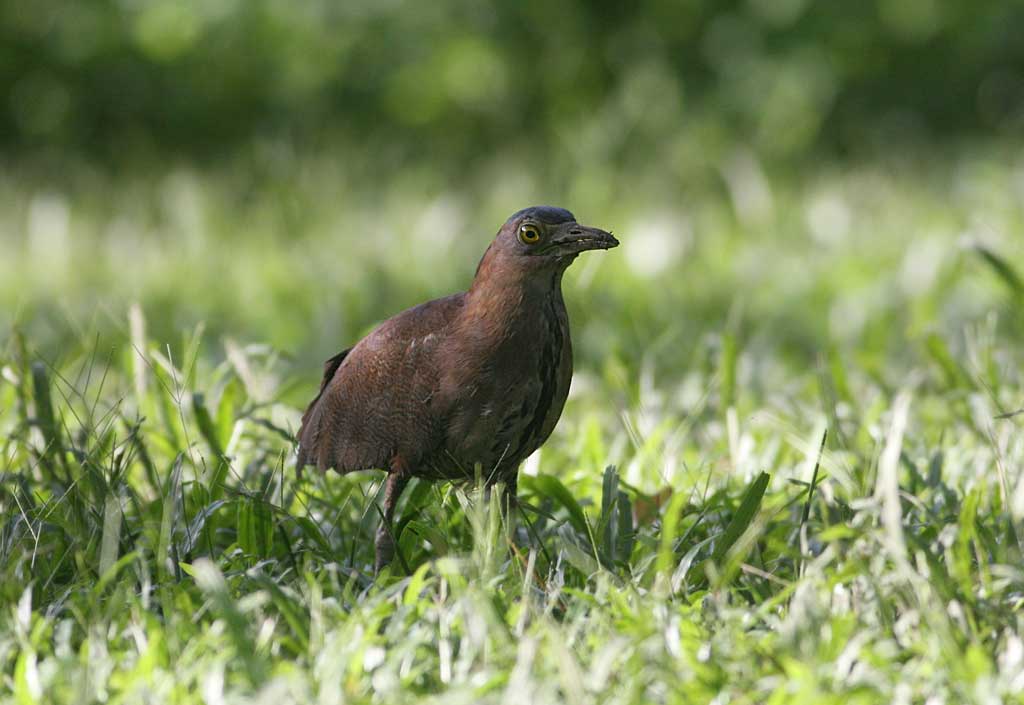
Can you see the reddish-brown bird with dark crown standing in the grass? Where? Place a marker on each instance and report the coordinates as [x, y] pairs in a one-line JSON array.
[[477, 380]]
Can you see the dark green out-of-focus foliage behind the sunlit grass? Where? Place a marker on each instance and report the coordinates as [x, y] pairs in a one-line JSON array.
[[449, 82]]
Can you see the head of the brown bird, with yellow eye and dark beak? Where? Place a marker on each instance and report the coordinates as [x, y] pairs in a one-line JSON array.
[[544, 237]]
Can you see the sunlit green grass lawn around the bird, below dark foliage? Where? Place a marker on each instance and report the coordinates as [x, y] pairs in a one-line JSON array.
[[691, 534]]
